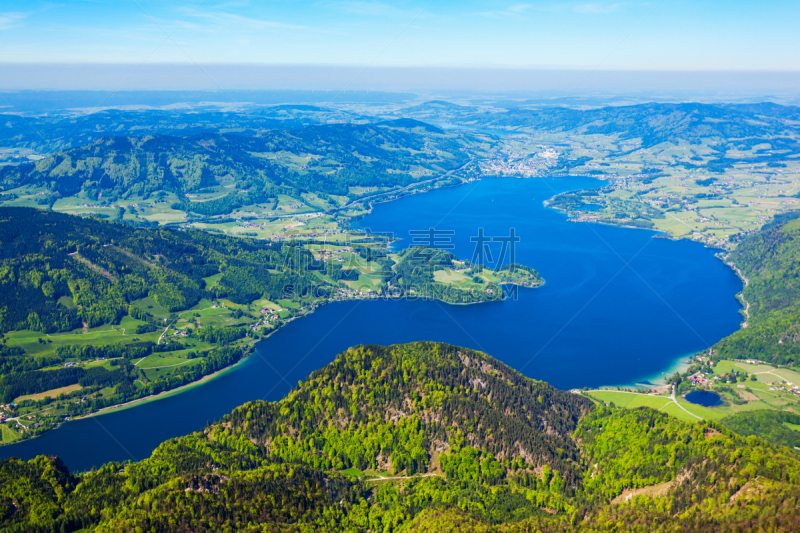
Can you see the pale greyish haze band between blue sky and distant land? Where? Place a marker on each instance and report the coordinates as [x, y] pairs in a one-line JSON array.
[[453, 81]]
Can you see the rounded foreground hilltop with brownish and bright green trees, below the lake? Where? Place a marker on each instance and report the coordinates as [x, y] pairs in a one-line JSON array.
[[398, 408]]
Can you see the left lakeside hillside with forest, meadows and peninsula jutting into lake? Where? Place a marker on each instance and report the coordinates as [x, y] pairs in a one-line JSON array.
[[96, 313]]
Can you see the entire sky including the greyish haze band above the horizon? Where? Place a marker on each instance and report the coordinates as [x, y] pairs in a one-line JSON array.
[[708, 49]]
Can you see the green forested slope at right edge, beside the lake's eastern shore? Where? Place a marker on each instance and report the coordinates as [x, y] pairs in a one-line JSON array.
[[770, 260]]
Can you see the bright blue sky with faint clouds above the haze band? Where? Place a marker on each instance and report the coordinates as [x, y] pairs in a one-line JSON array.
[[659, 36]]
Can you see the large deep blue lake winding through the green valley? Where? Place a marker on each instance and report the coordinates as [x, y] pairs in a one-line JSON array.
[[619, 306]]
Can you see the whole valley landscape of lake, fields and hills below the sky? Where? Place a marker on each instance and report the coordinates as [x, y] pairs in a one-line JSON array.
[[175, 295]]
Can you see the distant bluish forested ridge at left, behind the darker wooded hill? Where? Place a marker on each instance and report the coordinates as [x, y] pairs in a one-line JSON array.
[[334, 158]]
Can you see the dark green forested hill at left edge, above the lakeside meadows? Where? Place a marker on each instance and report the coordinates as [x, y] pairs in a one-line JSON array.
[[101, 268]]
